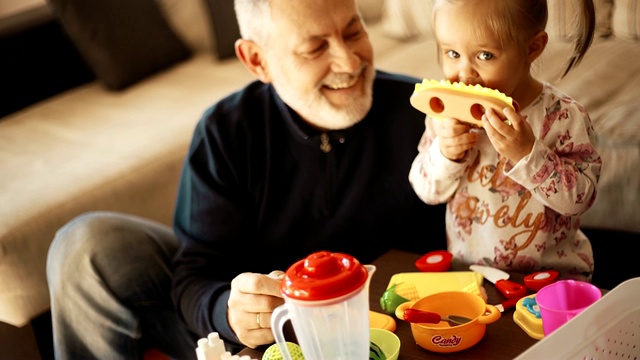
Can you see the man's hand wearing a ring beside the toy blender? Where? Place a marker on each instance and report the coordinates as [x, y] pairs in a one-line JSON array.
[[251, 302]]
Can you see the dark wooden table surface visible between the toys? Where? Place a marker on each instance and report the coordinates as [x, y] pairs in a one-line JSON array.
[[503, 339]]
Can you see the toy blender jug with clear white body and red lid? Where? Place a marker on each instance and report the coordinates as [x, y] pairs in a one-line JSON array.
[[327, 300]]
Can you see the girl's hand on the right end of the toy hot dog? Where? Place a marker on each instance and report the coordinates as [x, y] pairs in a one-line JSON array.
[[513, 141]]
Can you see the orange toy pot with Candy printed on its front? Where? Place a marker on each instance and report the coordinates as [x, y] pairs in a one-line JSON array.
[[444, 337]]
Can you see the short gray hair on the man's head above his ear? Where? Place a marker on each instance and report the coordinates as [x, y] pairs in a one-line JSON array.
[[254, 19]]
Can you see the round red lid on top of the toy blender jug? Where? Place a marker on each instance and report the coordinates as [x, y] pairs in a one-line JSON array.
[[323, 275]]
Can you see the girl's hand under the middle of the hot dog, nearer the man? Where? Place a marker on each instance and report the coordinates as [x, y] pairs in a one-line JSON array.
[[455, 138]]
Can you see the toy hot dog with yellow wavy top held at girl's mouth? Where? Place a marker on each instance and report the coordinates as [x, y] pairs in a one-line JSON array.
[[444, 99]]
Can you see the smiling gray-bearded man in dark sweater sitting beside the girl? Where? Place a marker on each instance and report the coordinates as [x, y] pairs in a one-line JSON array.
[[313, 155]]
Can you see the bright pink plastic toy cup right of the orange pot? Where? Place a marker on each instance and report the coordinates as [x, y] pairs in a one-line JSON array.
[[559, 302]]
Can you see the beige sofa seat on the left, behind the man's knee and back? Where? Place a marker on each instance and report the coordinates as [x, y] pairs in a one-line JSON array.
[[91, 149]]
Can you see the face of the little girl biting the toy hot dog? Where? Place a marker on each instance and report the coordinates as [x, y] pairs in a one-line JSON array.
[[472, 55]]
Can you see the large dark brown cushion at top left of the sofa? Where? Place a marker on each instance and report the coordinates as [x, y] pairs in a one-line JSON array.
[[122, 41]]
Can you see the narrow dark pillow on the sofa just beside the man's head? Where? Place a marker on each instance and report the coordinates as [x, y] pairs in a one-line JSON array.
[[225, 27]]
